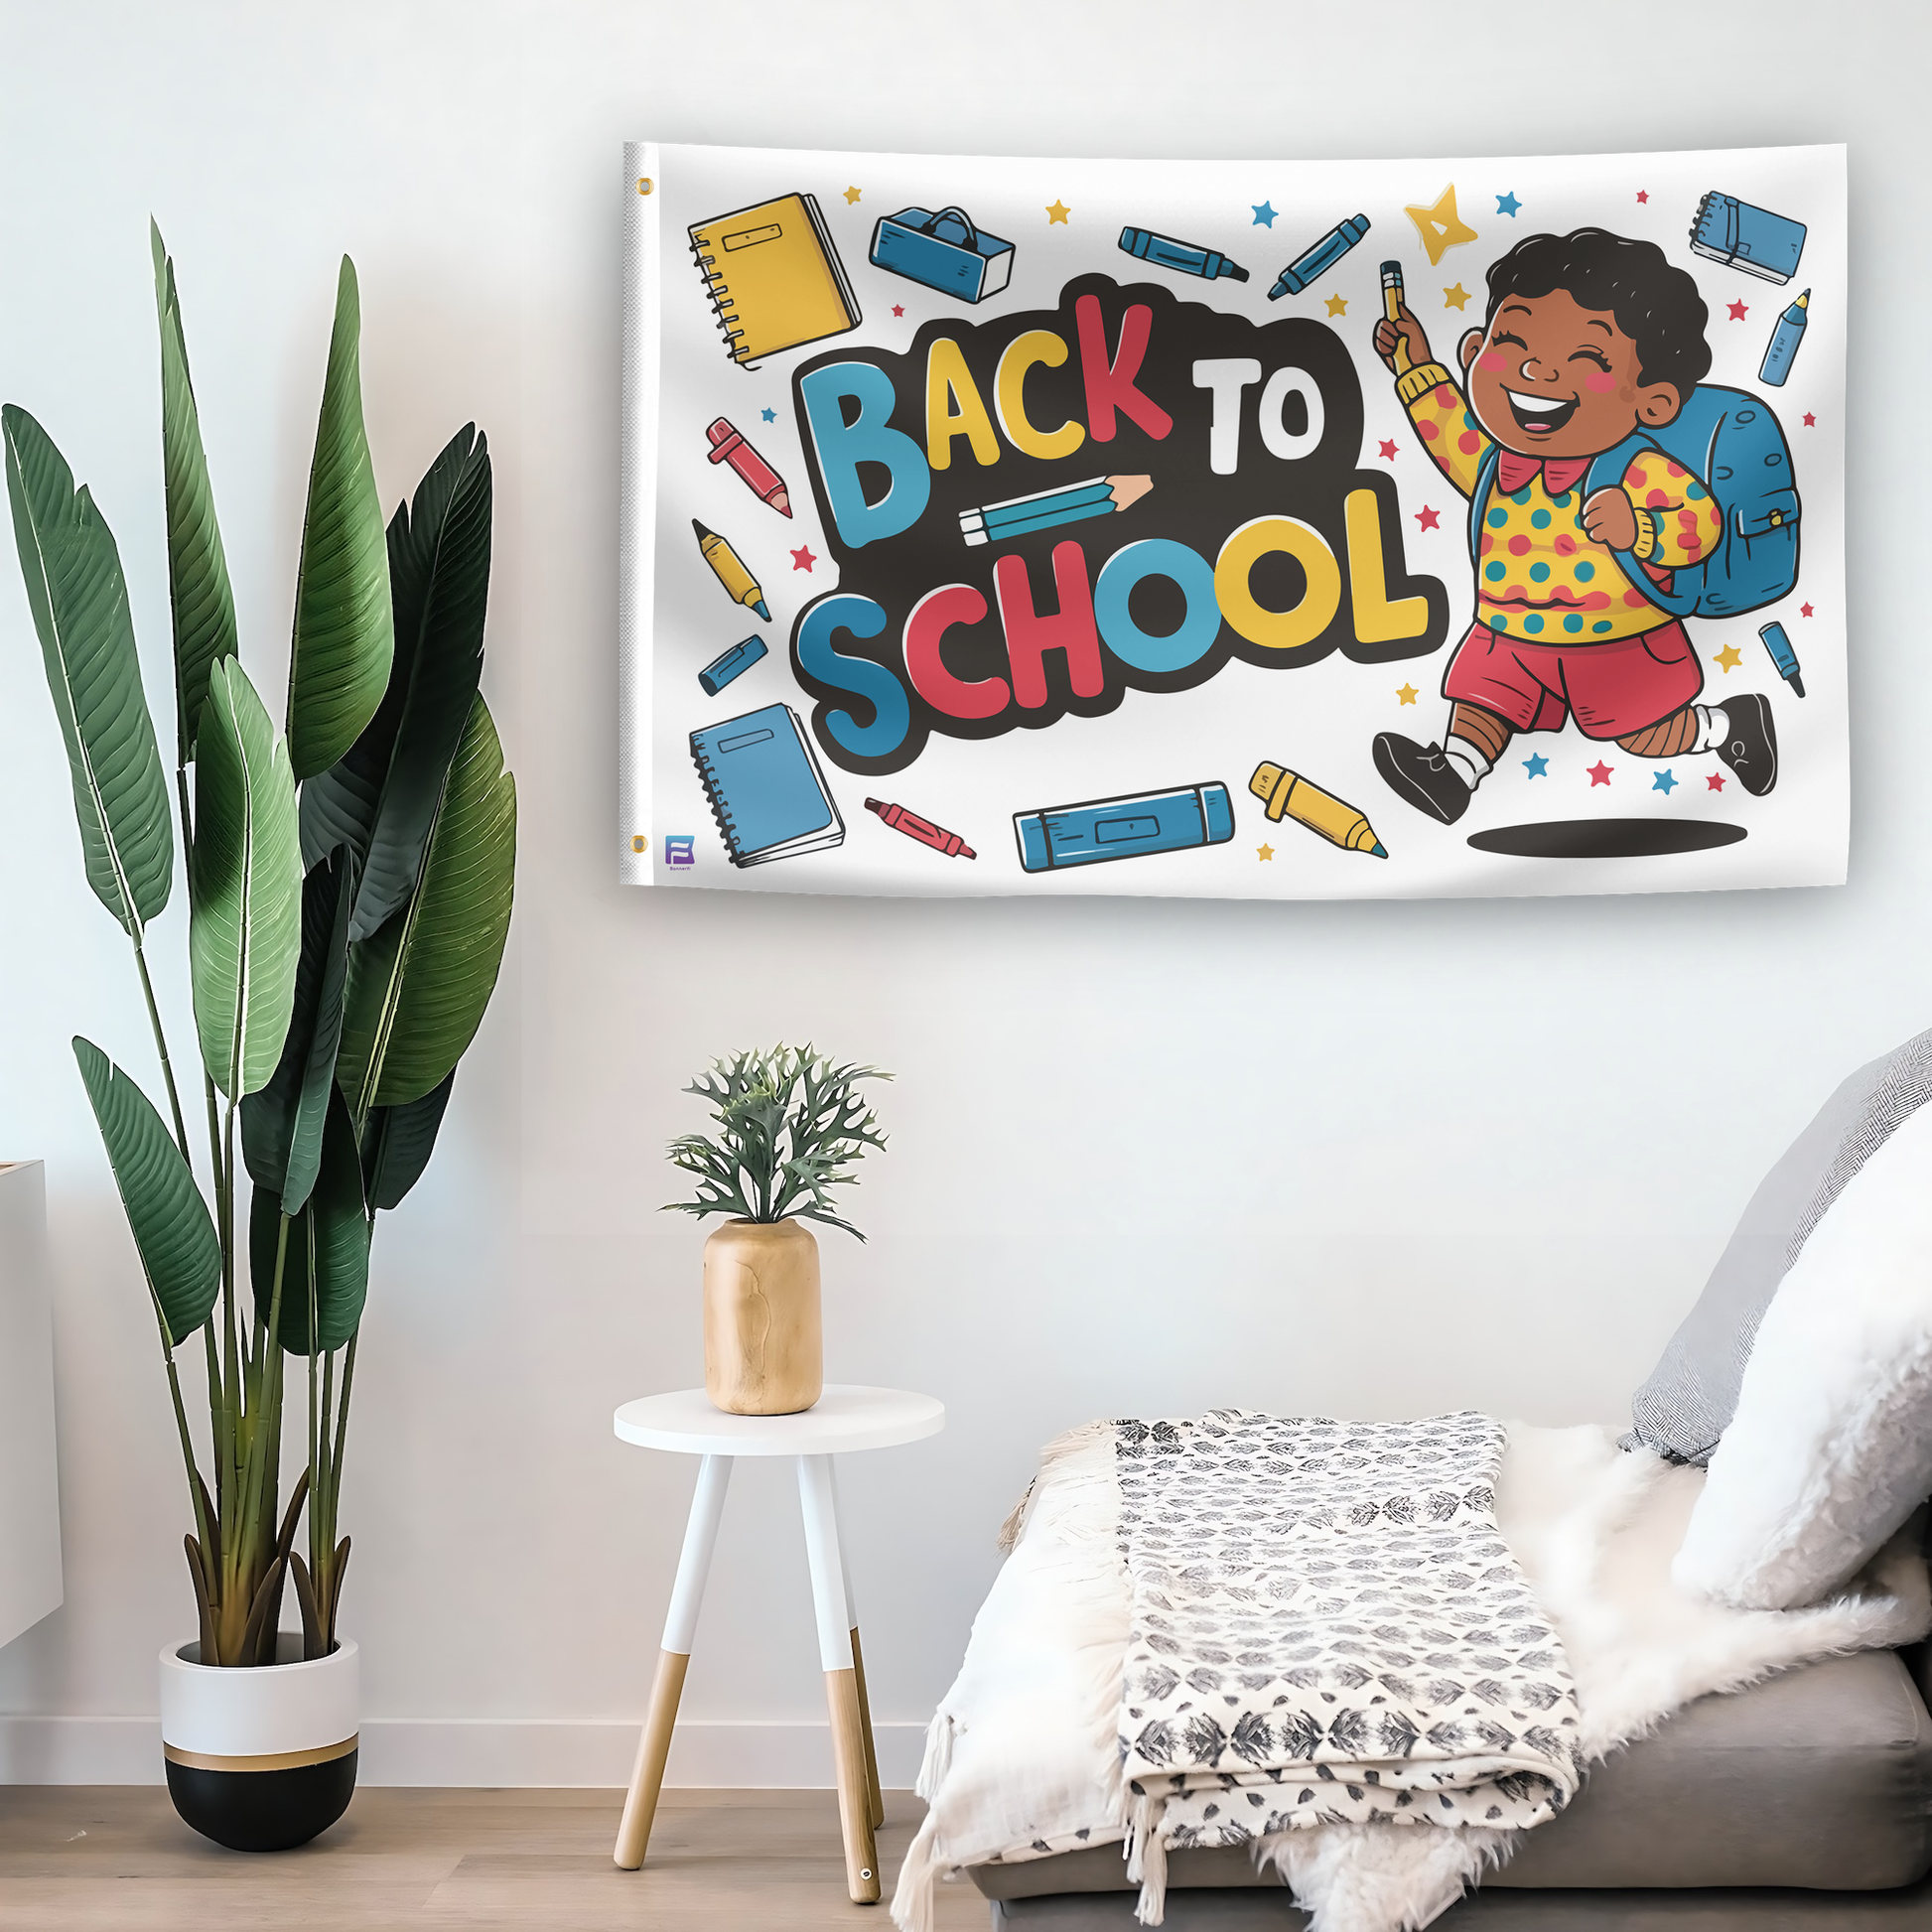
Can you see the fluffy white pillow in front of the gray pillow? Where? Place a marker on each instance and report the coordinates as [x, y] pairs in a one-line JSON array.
[[1831, 1448]]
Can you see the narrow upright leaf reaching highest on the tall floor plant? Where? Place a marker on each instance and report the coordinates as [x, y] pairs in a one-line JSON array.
[[198, 571]]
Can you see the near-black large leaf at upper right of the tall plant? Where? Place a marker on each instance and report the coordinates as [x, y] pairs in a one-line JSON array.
[[382, 797]]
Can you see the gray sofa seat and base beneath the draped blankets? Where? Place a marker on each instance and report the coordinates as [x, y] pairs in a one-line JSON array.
[[1800, 1805]]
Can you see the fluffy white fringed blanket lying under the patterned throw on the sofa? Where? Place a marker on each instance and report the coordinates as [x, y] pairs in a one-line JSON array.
[[1023, 1757]]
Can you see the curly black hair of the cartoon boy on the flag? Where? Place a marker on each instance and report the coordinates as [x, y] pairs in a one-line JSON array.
[[1655, 304]]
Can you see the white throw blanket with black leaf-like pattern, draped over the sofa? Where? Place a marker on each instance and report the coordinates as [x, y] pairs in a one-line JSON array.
[[1328, 1630]]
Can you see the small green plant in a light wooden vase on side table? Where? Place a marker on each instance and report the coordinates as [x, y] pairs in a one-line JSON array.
[[791, 1127]]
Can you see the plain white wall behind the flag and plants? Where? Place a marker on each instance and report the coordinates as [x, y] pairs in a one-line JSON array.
[[1371, 1160]]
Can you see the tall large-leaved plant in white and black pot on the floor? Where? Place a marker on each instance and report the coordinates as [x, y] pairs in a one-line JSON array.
[[349, 899]]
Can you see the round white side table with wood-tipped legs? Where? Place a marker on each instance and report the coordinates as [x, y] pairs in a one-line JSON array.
[[841, 1421]]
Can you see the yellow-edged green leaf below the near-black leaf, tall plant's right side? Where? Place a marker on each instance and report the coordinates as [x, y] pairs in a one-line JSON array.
[[420, 986]]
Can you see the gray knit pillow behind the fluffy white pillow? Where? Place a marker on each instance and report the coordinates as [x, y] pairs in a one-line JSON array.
[[1691, 1394]]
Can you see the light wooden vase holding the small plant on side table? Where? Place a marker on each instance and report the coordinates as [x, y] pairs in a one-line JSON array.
[[764, 1340]]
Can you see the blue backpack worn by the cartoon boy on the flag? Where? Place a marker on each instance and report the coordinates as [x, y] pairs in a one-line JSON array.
[[1730, 441]]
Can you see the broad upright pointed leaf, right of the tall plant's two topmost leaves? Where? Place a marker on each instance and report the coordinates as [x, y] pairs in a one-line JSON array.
[[345, 633]]
